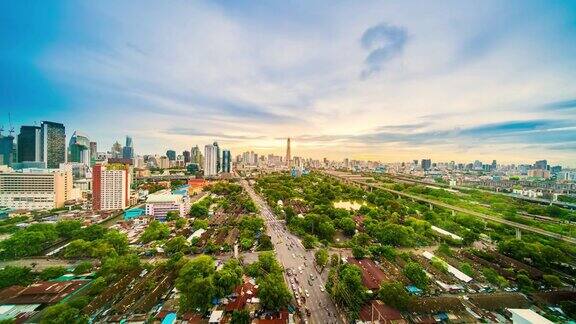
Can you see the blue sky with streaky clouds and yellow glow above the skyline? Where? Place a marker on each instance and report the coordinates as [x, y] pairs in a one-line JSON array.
[[378, 80]]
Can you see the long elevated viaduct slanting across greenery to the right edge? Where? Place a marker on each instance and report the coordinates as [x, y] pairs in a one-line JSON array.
[[361, 181]]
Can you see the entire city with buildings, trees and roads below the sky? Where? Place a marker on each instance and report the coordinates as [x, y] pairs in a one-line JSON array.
[[93, 235]]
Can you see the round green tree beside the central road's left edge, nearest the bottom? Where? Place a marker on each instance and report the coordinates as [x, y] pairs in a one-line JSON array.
[[273, 292]]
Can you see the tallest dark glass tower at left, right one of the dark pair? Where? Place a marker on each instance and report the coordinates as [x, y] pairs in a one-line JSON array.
[[53, 144]]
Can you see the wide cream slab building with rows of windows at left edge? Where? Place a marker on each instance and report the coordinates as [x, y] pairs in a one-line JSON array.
[[35, 190]]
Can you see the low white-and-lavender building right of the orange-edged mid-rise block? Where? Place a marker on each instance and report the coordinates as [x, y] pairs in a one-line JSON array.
[[160, 203]]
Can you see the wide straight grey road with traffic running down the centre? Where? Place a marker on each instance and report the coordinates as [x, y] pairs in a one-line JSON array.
[[292, 255]]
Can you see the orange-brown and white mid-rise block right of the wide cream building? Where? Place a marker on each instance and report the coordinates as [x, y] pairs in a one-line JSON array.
[[111, 186]]
